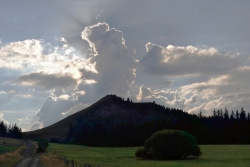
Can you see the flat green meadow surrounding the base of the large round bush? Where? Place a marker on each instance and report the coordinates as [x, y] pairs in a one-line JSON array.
[[213, 155]]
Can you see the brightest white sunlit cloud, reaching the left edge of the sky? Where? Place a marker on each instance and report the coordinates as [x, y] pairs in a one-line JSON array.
[[35, 56]]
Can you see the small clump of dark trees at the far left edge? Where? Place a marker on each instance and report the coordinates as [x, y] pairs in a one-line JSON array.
[[11, 131]]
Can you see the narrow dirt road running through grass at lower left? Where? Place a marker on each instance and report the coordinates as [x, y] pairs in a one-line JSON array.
[[29, 157]]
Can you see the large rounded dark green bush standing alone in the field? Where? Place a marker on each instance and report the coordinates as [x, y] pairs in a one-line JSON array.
[[170, 144]]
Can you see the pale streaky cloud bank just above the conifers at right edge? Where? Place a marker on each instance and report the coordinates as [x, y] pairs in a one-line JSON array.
[[229, 91]]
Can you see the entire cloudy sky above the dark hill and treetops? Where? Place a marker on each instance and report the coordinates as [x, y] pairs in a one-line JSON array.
[[57, 58]]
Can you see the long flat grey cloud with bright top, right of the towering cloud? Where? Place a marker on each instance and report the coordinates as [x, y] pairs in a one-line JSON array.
[[190, 60]]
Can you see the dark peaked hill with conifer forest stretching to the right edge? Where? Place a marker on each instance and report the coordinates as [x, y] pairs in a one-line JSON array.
[[113, 121]]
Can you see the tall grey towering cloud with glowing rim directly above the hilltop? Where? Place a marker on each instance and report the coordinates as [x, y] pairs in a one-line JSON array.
[[114, 62]]
